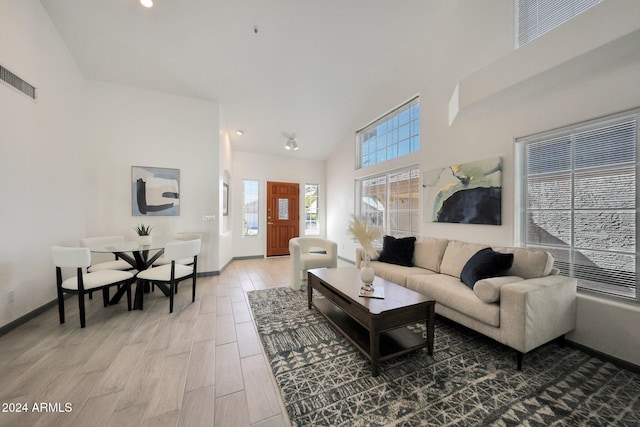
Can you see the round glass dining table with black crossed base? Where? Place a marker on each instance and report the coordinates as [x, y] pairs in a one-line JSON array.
[[140, 257]]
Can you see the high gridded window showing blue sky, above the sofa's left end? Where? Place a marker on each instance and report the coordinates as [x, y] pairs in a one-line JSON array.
[[393, 135]]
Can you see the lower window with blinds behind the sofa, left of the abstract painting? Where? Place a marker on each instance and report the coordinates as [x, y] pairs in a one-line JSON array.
[[392, 201]]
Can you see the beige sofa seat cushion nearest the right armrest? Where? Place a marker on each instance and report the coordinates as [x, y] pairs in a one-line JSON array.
[[452, 293]]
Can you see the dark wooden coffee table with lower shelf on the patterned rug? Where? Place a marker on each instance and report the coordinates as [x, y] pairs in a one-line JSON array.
[[377, 327]]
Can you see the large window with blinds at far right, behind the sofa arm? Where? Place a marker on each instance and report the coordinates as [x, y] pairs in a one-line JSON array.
[[577, 197]]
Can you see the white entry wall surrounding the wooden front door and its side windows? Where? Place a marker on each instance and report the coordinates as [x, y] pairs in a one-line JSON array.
[[264, 167]]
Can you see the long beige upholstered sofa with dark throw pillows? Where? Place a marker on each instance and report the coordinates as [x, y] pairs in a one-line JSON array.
[[529, 306]]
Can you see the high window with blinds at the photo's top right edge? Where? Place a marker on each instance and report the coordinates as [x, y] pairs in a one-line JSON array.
[[536, 17]]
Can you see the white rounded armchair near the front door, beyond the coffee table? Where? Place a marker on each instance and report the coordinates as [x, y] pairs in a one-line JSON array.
[[310, 252]]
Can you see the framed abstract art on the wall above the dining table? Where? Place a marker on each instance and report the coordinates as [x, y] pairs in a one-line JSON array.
[[155, 191]]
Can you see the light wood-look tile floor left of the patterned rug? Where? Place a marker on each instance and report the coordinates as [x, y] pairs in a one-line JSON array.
[[203, 365]]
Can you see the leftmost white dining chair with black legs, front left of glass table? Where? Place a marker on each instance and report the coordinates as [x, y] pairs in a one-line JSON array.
[[81, 283]]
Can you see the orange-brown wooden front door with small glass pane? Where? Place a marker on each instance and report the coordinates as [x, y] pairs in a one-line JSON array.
[[283, 216]]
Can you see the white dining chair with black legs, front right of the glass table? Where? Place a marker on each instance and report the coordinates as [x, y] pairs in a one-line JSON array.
[[174, 272]]
